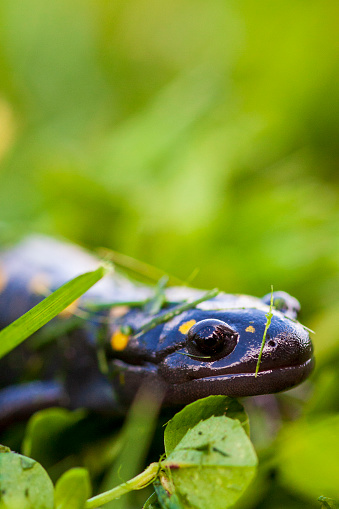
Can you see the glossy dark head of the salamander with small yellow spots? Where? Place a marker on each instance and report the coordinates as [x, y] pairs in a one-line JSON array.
[[214, 348]]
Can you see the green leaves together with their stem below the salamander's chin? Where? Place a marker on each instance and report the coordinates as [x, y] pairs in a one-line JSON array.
[[211, 450]]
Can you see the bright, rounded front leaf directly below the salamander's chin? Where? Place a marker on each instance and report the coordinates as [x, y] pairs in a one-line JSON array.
[[213, 464]]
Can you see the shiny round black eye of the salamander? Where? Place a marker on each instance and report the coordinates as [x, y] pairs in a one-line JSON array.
[[212, 336]]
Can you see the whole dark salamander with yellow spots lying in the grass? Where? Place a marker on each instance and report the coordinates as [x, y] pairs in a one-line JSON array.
[[211, 348]]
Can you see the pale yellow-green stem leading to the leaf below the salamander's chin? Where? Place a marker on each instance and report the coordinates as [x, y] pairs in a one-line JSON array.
[[137, 483]]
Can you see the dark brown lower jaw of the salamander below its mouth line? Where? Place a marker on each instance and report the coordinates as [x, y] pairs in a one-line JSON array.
[[241, 384]]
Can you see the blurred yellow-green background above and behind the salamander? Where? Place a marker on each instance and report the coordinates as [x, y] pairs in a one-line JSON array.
[[185, 133]]
